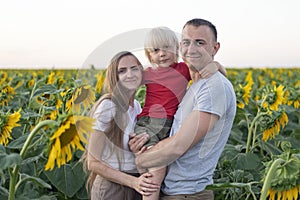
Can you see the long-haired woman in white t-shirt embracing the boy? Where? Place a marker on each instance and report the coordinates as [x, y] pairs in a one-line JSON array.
[[113, 173]]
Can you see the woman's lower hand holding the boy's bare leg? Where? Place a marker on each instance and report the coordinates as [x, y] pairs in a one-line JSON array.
[[144, 184]]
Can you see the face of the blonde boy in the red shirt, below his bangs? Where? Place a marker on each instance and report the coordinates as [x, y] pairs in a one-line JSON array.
[[164, 56]]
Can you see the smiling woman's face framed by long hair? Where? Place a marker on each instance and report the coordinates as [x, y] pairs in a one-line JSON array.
[[130, 73]]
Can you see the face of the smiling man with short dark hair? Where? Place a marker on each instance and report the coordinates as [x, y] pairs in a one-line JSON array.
[[198, 46]]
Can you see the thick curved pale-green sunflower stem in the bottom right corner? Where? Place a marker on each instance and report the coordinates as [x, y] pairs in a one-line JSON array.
[[269, 178]]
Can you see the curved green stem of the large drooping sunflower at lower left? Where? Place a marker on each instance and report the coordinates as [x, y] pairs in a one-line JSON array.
[[14, 174]]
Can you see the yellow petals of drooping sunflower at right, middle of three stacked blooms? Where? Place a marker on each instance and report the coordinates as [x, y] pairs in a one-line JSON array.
[[274, 129]]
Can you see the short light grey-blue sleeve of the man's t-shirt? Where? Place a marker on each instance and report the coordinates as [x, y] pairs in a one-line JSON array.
[[211, 97]]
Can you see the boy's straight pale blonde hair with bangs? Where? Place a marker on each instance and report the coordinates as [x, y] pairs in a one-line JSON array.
[[158, 38]]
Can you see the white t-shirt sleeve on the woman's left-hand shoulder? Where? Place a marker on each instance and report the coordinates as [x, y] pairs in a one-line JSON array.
[[104, 114]]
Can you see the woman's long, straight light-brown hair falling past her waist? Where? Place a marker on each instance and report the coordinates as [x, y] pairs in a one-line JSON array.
[[121, 97]]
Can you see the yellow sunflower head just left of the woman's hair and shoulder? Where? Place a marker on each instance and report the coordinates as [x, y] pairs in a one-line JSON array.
[[82, 95]]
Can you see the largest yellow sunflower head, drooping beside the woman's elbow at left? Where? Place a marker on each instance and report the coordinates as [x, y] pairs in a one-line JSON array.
[[72, 132]]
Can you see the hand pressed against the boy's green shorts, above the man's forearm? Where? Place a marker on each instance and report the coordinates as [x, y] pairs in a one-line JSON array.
[[136, 143]]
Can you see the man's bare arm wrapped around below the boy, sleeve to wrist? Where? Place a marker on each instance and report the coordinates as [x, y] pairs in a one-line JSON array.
[[170, 149]]
